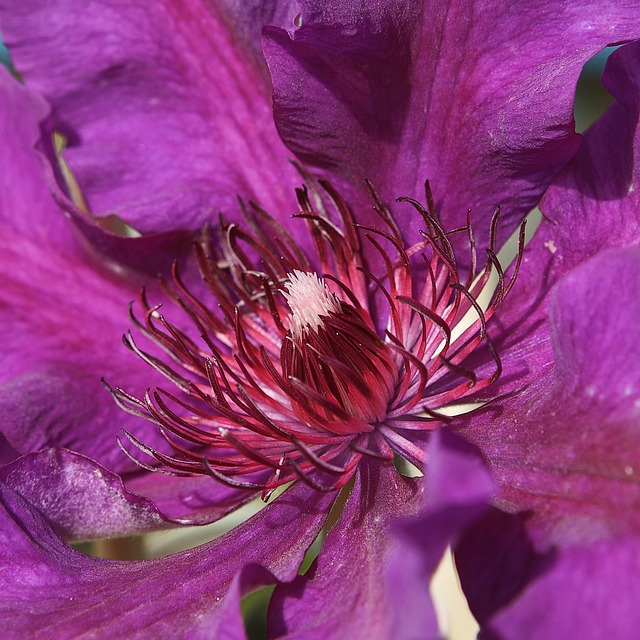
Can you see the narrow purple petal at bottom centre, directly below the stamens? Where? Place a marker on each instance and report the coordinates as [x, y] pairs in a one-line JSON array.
[[343, 593]]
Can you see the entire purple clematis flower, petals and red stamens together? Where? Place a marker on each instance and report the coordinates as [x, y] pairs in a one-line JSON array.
[[167, 117]]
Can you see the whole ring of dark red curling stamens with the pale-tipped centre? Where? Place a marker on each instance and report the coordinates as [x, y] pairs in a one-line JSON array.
[[296, 368]]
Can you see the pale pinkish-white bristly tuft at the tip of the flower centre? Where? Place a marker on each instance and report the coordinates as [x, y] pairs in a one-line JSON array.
[[309, 300]]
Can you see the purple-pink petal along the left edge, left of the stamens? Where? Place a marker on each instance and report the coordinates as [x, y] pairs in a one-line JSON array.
[[63, 315]]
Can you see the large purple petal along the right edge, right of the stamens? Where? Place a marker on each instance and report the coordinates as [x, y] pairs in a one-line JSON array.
[[564, 443]]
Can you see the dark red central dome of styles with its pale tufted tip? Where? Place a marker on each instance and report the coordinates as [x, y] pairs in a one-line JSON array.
[[333, 350]]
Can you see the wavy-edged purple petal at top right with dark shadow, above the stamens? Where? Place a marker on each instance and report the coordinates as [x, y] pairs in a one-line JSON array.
[[478, 99]]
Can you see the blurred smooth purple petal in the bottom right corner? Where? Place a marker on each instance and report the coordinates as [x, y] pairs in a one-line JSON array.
[[588, 593]]
